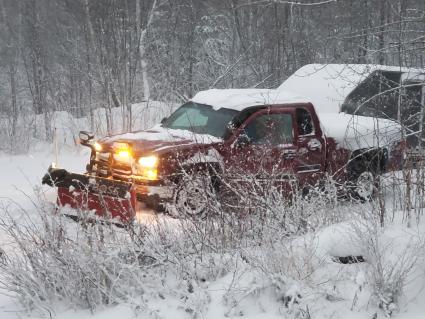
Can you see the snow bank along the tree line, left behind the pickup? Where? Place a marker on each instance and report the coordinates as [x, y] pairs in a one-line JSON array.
[[31, 128]]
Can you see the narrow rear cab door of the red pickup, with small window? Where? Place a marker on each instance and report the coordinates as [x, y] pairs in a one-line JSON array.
[[311, 147]]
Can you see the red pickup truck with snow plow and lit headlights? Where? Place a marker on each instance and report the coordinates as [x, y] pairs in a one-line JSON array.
[[245, 131]]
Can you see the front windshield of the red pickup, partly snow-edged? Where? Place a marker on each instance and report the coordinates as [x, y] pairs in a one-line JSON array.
[[201, 119]]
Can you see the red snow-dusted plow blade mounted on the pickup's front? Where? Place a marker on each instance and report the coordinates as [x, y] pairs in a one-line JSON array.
[[109, 199]]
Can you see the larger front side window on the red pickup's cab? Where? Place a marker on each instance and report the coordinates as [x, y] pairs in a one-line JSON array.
[[270, 129]]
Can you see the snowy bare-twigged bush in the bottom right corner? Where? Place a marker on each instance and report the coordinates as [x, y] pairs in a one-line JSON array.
[[391, 256]]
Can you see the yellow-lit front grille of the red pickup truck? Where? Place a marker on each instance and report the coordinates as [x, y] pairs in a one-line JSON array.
[[107, 167]]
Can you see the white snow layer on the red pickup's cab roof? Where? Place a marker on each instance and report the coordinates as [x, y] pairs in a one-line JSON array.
[[239, 99]]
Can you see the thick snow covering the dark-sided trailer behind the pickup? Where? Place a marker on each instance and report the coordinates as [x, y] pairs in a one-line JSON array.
[[327, 85]]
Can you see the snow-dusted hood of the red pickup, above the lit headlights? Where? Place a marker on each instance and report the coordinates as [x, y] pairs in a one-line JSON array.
[[159, 140]]
